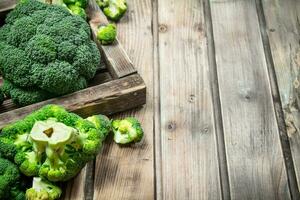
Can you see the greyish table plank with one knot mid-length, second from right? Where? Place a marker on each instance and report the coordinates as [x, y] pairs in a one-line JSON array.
[[256, 166]]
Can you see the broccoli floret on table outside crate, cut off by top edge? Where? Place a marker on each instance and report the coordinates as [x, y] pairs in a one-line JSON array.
[[113, 9]]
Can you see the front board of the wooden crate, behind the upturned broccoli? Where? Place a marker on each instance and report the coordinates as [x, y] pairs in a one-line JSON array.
[[108, 98]]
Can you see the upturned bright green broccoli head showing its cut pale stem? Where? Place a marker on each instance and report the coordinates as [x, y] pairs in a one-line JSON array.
[[53, 143]]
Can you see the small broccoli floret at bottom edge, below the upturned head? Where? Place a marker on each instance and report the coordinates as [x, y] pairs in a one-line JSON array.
[[42, 189]]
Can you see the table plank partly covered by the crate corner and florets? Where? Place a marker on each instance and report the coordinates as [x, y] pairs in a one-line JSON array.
[[127, 172]]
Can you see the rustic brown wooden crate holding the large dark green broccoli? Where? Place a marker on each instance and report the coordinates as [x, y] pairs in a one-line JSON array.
[[115, 88]]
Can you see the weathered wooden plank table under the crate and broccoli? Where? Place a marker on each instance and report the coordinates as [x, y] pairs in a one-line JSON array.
[[222, 118]]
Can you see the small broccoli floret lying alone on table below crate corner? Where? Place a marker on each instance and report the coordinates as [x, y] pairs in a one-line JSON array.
[[127, 130]]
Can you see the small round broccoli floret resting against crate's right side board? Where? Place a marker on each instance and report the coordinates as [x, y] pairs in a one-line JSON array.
[[107, 34]]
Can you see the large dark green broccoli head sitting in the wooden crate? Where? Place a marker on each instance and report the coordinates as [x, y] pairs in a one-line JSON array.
[[45, 52]]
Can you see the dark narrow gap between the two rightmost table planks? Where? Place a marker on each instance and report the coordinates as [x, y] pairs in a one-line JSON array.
[[292, 180]]
